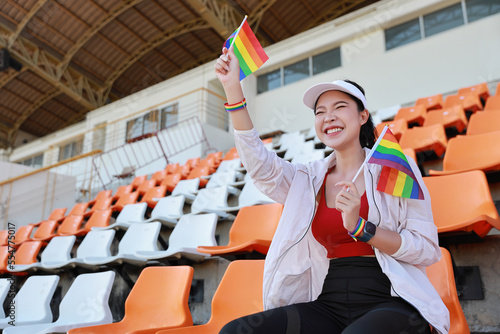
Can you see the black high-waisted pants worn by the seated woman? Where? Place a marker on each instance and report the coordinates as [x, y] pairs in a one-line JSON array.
[[355, 299]]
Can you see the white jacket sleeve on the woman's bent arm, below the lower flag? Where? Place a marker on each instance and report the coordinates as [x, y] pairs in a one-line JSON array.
[[419, 237]]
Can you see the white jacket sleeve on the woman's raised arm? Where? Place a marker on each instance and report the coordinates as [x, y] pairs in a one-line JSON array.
[[271, 174]]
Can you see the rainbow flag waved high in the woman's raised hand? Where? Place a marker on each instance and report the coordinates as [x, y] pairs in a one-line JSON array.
[[247, 49]]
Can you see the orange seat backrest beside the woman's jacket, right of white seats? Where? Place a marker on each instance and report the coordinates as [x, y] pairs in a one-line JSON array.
[[258, 222]]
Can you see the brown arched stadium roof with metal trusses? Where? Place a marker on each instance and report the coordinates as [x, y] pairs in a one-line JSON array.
[[69, 57]]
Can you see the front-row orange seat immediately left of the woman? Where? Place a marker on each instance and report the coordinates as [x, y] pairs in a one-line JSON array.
[[238, 294]]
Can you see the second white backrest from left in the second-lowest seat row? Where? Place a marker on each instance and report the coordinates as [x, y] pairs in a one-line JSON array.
[[96, 244]]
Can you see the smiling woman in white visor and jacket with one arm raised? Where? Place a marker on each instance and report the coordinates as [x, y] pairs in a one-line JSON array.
[[317, 277]]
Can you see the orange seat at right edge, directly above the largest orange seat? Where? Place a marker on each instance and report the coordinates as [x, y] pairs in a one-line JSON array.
[[465, 153]]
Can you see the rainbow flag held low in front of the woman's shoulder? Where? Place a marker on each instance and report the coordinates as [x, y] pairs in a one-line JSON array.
[[397, 177]]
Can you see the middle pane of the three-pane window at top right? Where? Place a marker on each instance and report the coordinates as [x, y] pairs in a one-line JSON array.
[[444, 19]]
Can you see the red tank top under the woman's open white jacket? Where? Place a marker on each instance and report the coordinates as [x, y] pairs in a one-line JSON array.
[[328, 229]]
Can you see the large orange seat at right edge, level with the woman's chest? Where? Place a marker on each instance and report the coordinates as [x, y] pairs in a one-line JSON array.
[[462, 202]]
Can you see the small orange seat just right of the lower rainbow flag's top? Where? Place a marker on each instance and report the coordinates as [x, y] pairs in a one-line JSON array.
[[429, 138]]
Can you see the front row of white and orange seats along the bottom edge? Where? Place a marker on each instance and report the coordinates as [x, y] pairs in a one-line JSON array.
[[158, 301]]
